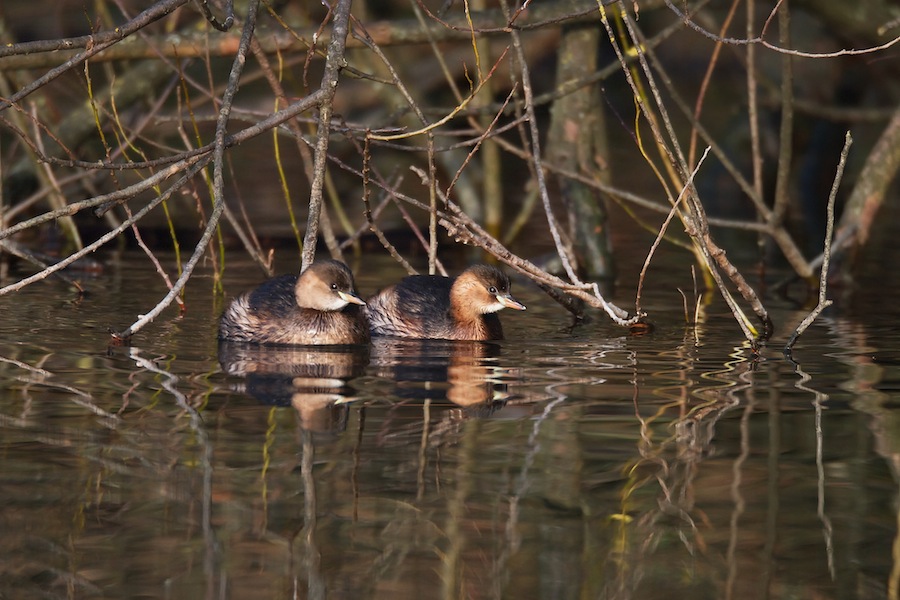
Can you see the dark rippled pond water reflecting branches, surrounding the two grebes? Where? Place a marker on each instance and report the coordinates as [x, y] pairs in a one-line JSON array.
[[558, 464]]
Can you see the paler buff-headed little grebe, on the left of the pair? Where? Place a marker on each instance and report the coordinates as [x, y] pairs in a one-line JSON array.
[[318, 307]]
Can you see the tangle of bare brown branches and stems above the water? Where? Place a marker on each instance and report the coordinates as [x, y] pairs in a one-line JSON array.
[[552, 129]]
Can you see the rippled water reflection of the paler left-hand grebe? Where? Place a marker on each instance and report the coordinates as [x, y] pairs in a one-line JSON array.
[[312, 379]]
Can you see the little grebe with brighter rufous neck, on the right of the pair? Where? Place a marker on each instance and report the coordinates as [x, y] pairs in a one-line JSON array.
[[434, 307]]
